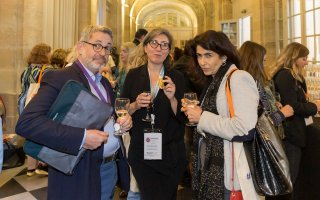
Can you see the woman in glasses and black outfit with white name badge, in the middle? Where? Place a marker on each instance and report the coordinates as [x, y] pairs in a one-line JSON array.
[[157, 178]]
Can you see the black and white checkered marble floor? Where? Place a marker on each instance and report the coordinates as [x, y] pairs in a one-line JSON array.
[[16, 185]]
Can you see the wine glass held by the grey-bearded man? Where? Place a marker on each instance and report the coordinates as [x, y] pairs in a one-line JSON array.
[[121, 107]]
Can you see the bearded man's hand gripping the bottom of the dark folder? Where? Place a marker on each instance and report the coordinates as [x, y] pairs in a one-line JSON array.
[[94, 139]]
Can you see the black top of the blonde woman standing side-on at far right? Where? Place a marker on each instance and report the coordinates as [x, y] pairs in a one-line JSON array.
[[292, 92]]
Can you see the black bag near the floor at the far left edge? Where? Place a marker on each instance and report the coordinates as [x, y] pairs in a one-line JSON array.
[[12, 156]]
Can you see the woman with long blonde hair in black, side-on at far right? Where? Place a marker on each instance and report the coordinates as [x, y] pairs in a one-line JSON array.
[[287, 73]]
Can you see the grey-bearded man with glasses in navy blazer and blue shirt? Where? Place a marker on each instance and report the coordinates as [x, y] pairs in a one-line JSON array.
[[95, 176]]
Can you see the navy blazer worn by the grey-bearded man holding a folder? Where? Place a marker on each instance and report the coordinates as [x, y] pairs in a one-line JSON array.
[[36, 126]]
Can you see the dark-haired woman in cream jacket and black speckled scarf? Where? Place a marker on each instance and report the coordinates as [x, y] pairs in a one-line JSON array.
[[219, 161]]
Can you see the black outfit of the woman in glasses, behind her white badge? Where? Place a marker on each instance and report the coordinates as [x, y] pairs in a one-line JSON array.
[[160, 174]]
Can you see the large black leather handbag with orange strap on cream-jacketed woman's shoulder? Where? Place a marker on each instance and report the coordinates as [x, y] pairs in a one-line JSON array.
[[266, 157]]
